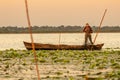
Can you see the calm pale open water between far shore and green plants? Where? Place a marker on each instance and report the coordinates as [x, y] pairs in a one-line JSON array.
[[15, 41]]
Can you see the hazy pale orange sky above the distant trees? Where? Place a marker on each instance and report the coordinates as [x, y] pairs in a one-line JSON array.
[[60, 12]]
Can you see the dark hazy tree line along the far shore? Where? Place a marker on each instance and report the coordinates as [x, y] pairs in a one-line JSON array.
[[56, 29]]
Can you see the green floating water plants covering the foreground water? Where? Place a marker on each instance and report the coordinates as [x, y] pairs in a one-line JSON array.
[[60, 65]]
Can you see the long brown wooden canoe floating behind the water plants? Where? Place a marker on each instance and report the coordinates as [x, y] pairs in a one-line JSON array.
[[40, 46]]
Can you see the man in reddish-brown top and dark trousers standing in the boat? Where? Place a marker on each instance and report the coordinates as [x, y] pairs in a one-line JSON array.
[[88, 30]]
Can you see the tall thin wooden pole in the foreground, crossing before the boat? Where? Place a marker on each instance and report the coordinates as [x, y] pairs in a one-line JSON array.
[[32, 40]]
